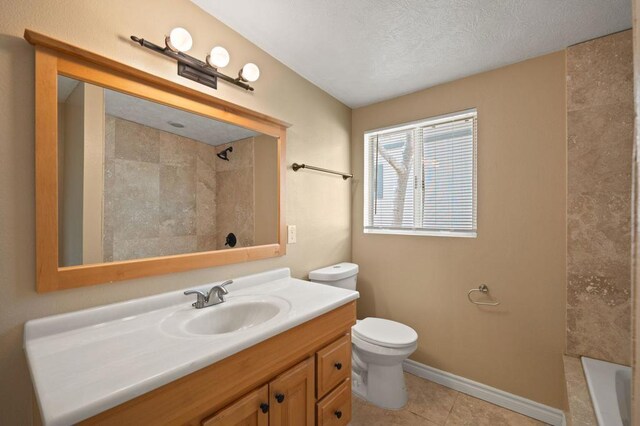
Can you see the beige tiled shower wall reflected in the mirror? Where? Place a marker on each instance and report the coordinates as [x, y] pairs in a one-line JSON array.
[[162, 194]]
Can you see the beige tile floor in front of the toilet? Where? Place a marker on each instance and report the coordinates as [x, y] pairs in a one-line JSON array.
[[431, 404]]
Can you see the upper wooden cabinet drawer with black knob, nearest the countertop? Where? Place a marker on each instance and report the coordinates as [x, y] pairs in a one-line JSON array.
[[333, 365]]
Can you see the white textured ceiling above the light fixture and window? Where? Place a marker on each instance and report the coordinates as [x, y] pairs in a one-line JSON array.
[[364, 51]]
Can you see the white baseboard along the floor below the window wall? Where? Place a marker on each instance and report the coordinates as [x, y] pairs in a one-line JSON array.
[[521, 405]]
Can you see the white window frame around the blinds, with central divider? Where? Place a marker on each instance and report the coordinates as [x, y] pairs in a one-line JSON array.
[[418, 190]]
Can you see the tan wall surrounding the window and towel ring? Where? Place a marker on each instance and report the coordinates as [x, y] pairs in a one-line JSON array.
[[520, 249]]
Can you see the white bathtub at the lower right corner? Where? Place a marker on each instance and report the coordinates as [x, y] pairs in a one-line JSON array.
[[610, 389]]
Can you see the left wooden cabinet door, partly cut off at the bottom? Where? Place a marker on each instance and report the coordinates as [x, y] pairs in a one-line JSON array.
[[250, 410]]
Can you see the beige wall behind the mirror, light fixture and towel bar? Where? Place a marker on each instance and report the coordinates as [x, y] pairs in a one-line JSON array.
[[320, 135]]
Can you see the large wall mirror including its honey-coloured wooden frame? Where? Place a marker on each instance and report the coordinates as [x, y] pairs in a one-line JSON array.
[[139, 176]]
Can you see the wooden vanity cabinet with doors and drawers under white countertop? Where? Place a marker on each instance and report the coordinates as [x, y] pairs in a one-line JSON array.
[[302, 374]]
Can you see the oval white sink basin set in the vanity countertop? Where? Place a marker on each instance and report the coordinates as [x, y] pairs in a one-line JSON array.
[[234, 315]]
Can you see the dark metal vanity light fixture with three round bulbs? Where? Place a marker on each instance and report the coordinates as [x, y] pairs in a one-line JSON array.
[[180, 41]]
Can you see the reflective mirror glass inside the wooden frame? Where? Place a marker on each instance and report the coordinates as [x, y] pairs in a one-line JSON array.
[[138, 179]]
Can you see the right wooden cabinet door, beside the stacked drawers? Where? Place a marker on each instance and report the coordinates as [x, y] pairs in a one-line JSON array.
[[291, 396]]
